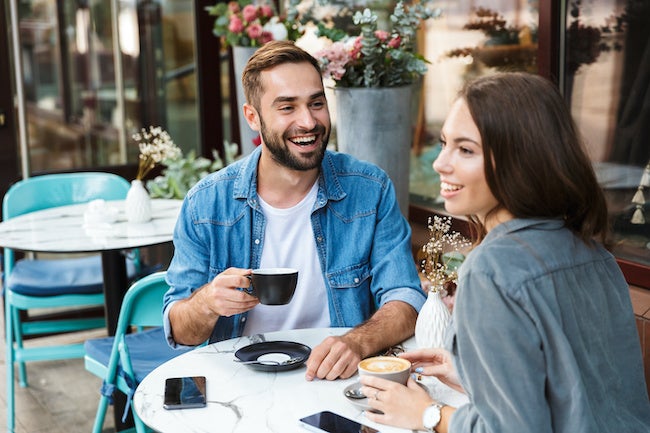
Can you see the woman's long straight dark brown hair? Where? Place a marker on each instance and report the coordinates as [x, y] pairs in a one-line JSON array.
[[535, 164]]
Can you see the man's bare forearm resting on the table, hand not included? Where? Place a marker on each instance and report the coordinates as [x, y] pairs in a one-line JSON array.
[[393, 323]]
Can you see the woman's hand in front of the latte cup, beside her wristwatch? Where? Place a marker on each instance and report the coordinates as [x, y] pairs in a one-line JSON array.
[[402, 406]]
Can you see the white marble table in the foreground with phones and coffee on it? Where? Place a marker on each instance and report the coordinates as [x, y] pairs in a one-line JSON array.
[[243, 400]]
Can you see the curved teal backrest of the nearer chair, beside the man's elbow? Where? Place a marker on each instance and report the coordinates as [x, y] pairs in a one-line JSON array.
[[143, 303]]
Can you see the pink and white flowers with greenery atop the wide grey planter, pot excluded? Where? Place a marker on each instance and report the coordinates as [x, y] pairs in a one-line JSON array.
[[375, 57]]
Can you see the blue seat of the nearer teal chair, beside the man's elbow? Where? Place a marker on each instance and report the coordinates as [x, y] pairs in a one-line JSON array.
[[147, 349]]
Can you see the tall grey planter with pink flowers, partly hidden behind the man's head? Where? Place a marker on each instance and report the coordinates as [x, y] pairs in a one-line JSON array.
[[246, 25]]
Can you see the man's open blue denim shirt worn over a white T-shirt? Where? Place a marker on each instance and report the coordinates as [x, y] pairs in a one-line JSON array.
[[363, 240]]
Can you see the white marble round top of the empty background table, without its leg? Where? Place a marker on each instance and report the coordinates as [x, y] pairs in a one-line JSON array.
[[65, 229]]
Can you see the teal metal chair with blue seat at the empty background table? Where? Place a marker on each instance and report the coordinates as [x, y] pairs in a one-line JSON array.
[[52, 283]]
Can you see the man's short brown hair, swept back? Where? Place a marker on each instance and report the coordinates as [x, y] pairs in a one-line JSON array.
[[271, 54]]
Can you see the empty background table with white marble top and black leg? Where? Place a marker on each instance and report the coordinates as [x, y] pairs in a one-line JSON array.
[[63, 230]]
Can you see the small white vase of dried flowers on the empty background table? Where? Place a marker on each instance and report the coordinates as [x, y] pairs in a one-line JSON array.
[[155, 146]]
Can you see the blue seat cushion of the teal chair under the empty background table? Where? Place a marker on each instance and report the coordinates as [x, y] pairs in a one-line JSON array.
[[73, 276]]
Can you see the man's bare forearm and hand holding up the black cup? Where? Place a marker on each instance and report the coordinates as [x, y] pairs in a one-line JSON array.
[[193, 319]]
